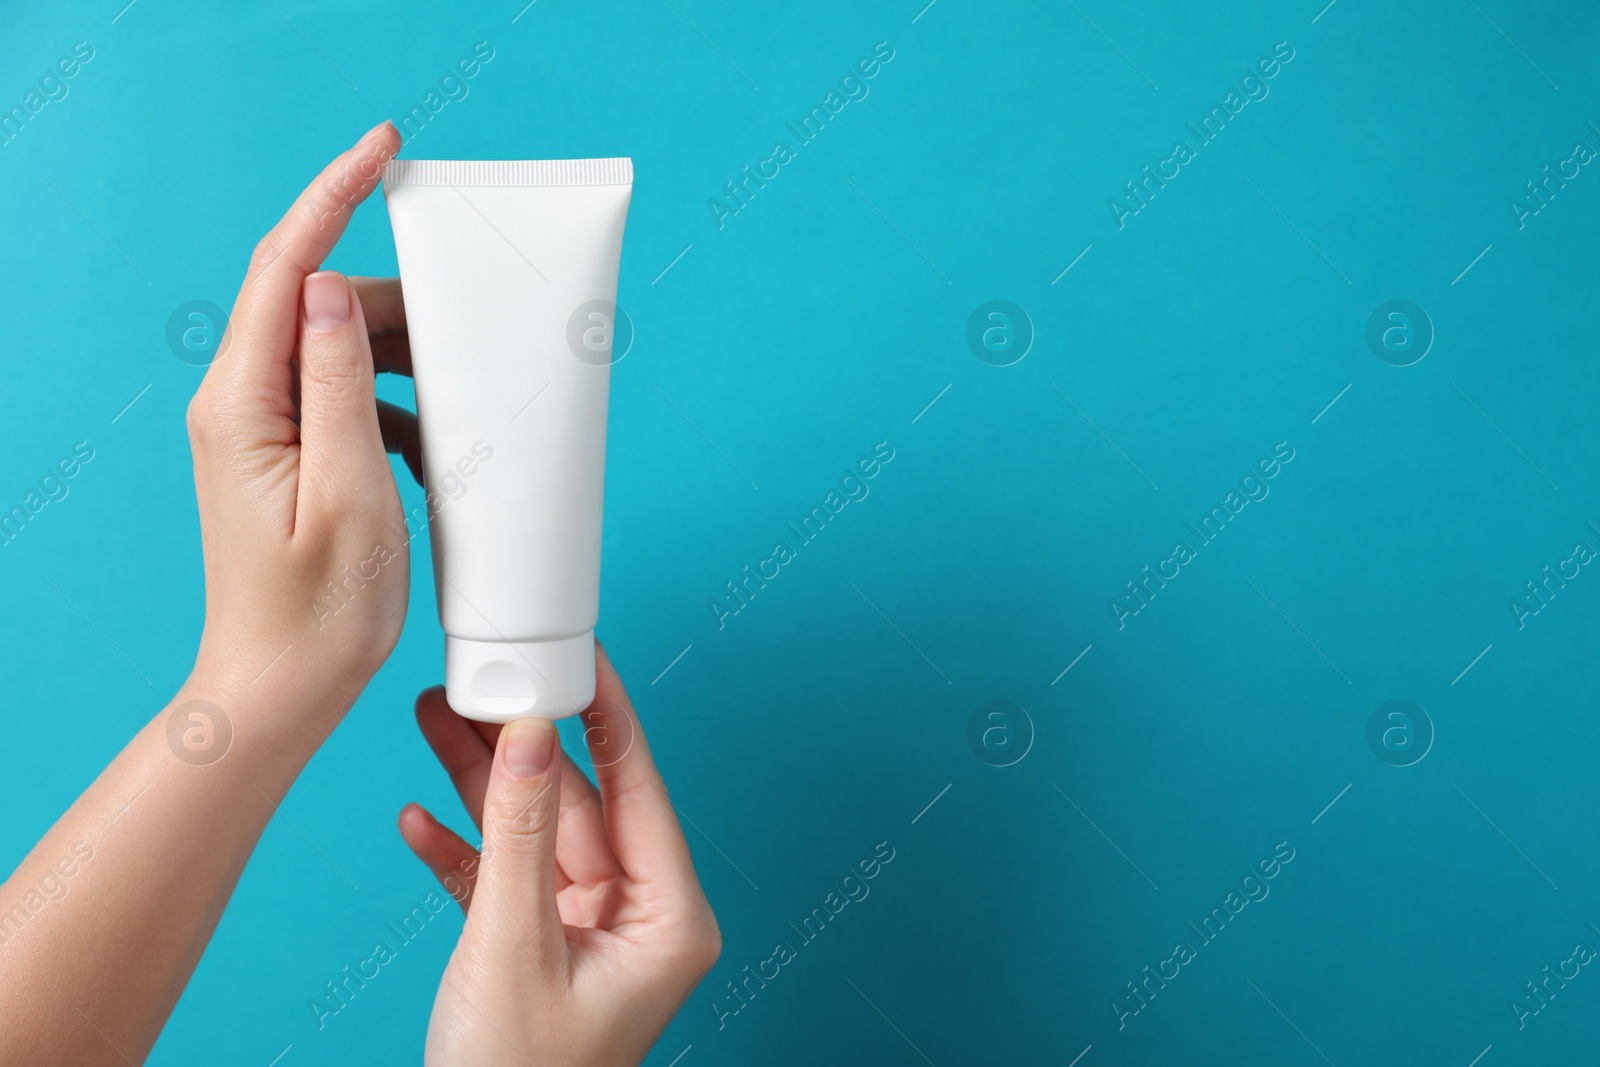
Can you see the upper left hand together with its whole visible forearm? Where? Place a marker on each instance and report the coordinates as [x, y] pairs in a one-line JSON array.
[[294, 489]]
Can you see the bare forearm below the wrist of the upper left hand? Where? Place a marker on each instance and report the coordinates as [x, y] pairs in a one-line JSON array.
[[106, 919]]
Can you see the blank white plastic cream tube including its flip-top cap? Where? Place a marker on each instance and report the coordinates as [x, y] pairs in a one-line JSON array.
[[510, 276]]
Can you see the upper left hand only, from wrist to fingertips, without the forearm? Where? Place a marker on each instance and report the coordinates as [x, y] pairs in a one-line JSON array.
[[306, 554]]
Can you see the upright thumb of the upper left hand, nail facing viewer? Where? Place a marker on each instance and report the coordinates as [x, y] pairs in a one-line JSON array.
[[343, 449]]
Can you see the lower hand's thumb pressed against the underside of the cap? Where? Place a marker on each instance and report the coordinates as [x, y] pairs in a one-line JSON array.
[[514, 903]]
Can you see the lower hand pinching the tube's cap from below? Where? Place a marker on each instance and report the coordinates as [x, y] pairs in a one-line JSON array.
[[586, 925]]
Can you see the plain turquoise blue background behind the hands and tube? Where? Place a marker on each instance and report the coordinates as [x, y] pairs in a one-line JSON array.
[[822, 321]]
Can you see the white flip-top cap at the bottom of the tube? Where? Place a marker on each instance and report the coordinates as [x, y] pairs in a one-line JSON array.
[[497, 682]]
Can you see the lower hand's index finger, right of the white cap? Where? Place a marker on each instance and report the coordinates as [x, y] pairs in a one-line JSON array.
[[641, 821]]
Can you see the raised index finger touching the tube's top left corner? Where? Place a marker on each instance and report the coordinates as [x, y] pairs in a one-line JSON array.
[[266, 316]]
